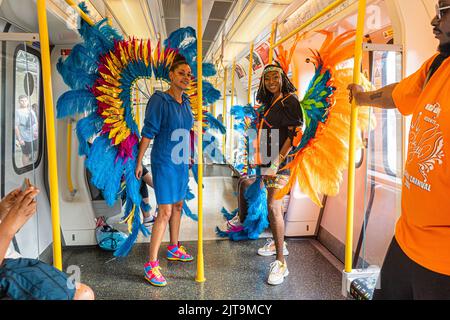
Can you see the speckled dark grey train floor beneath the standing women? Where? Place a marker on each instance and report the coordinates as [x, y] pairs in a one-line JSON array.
[[233, 270]]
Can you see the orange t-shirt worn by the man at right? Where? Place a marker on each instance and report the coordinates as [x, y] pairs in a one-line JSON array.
[[423, 230]]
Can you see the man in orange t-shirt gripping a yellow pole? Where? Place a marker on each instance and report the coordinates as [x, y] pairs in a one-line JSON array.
[[417, 265]]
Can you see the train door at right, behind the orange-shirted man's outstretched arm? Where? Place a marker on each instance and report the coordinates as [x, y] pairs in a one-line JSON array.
[[383, 164]]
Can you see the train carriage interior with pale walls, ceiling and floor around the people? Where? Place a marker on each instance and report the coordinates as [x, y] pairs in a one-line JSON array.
[[239, 38]]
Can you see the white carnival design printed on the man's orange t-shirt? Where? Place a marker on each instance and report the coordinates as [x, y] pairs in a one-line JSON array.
[[426, 146]]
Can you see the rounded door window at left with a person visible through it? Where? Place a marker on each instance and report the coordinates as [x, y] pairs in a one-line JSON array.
[[27, 113]]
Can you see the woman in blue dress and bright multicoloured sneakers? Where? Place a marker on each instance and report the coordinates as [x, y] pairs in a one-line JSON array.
[[168, 120]]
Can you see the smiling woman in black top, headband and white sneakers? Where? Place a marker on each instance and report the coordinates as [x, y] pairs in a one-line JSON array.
[[280, 119]]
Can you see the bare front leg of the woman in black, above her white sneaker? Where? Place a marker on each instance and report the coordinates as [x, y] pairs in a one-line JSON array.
[[276, 222]]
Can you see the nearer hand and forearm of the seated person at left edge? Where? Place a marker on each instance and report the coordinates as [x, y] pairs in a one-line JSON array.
[[22, 210]]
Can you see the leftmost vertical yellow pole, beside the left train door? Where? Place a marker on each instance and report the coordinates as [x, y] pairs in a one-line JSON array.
[[50, 127]]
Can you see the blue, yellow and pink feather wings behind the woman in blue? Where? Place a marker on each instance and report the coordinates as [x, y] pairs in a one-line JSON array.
[[101, 73]]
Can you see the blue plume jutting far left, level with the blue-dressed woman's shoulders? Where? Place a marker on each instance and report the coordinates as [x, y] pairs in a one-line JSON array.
[[74, 102]]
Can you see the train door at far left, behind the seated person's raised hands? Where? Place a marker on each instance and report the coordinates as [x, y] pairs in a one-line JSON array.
[[23, 135]]
